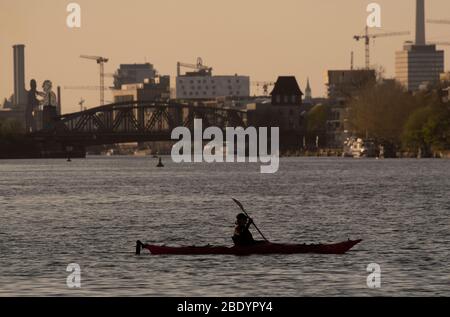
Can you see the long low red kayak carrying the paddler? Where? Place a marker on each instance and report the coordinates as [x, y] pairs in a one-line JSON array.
[[257, 249]]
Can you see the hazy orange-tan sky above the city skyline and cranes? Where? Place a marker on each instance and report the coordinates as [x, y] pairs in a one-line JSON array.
[[259, 38]]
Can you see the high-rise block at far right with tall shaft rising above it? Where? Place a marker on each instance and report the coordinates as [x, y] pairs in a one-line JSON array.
[[418, 63]]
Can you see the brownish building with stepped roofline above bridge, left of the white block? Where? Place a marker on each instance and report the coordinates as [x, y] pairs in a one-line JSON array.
[[156, 89]]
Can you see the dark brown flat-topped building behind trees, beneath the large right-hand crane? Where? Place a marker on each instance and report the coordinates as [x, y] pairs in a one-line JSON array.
[[344, 84]]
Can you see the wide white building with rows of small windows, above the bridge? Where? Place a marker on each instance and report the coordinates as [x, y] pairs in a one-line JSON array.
[[203, 85]]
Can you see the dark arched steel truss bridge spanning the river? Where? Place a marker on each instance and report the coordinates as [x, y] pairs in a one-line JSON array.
[[134, 121]]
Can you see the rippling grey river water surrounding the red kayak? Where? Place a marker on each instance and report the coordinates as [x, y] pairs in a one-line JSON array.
[[92, 211]]
